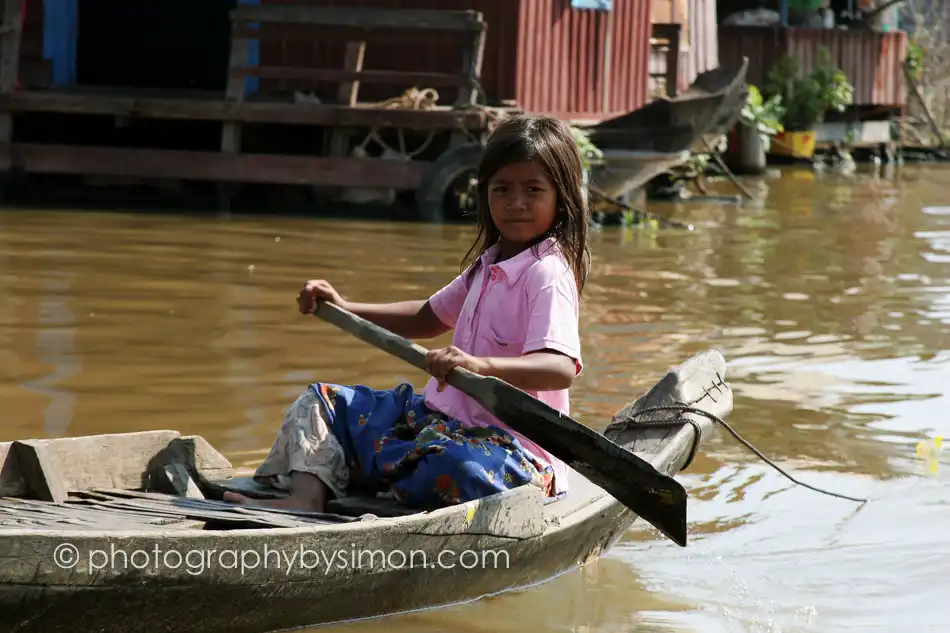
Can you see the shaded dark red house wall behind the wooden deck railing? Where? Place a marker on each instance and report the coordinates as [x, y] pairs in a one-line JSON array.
[[437, 52]]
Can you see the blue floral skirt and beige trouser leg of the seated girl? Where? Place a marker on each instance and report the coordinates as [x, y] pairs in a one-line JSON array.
[[390, 442]]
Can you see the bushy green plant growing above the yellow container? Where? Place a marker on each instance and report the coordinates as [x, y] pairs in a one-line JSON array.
[[807, 98]]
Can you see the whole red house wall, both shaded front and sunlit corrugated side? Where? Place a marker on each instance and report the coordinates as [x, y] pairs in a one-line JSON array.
[[543, 54]]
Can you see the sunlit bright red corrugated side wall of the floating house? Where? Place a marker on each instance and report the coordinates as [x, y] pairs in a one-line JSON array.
[[560, 58]]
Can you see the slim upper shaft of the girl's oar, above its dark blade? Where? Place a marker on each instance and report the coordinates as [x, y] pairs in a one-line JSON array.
[[414, 354]]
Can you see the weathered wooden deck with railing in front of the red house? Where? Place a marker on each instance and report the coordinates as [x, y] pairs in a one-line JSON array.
[[342, 124]]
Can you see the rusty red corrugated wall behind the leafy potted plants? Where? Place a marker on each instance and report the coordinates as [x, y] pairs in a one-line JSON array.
[[872, 61]]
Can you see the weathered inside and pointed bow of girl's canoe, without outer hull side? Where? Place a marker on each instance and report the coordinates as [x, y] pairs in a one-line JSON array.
[[162, 480]]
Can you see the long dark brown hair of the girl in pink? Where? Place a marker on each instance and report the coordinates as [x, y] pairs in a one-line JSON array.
[[549, 142]]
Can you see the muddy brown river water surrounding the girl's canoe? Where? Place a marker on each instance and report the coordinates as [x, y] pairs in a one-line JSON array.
[[830, 302]]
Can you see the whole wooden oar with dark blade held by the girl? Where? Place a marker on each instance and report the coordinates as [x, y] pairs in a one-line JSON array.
[[654, 496]]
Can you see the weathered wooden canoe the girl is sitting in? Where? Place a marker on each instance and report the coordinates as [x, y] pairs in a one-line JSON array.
[[94, 537]]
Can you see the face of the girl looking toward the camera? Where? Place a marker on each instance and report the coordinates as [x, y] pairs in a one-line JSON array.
[[523, 202]]
